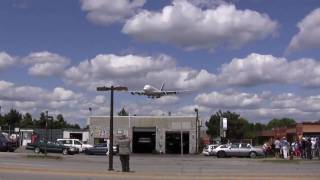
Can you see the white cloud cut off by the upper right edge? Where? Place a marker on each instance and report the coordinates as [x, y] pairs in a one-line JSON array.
[[309, 33]]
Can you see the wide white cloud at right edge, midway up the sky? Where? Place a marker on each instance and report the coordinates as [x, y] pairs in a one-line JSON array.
[[260, 69]]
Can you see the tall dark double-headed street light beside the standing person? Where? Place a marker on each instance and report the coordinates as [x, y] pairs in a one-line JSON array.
[[112, 88]]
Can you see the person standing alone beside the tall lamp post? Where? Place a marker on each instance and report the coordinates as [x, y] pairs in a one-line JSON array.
[[124, 152]]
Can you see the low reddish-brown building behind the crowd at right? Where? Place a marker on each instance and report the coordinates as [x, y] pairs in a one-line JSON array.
[[305, 129]]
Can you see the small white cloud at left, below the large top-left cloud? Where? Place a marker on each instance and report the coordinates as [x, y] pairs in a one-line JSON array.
[[45, 63]]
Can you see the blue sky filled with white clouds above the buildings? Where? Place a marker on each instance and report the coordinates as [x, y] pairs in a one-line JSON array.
[[258, 58]]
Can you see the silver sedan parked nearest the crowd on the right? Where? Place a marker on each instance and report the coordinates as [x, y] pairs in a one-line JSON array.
[[238, 150]]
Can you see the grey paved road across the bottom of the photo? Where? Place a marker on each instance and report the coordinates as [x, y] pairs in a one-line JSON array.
[[22, 166]]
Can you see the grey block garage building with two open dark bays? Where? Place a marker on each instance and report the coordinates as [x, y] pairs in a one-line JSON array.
[[149, 134]]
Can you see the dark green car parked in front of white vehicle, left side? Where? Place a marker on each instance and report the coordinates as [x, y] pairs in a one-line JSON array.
[[54, 147]]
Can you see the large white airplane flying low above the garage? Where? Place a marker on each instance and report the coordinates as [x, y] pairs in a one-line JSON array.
[[152, 92]]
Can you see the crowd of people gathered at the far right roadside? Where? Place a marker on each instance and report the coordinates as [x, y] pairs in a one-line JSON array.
[[306, 148]]
